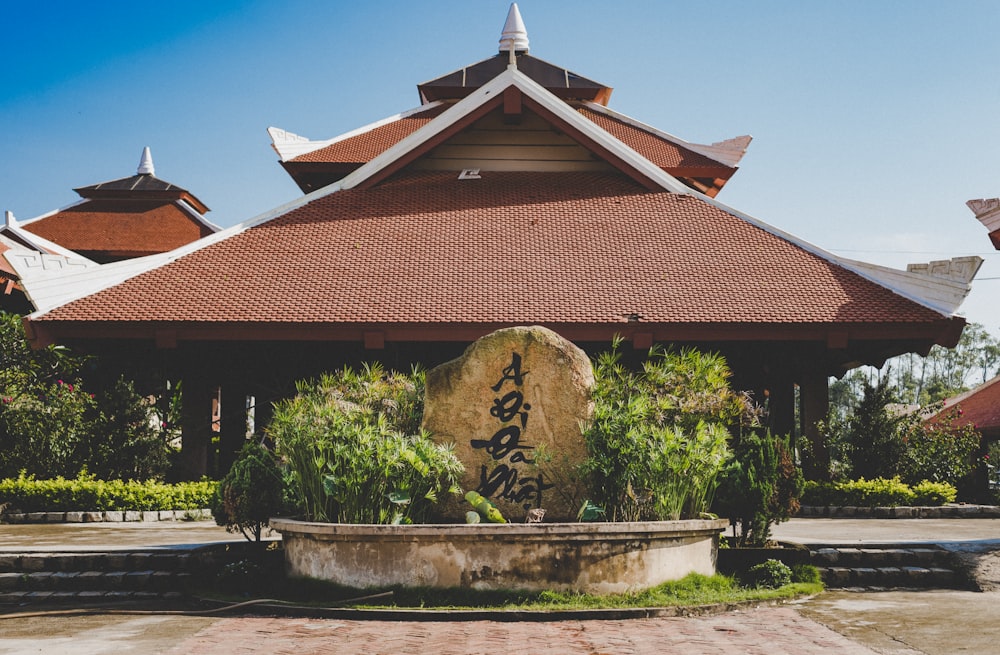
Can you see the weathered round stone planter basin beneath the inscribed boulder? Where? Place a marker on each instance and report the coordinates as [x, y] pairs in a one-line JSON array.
[[596, 558]]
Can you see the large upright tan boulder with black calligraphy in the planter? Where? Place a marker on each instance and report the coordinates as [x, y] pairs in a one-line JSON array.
[[513, 405]]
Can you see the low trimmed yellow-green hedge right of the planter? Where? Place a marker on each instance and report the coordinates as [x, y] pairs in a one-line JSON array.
[[880, 492]]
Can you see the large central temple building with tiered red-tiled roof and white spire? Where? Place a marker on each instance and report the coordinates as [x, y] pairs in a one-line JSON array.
[[512, 195]]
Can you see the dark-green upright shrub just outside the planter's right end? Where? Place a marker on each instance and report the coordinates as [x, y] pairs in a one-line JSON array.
[[760, 487]]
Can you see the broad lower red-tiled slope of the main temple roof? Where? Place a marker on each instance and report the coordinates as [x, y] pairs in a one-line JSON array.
[[512, 248]]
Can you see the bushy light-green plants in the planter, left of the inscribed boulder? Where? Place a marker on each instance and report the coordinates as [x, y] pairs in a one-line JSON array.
[[355, 450]]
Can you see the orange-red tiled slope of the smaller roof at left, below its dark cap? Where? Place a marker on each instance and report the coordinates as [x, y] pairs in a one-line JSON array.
[[120, 226]]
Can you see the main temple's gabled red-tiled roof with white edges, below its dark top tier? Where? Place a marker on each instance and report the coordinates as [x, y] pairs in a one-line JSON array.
[[510, 207]]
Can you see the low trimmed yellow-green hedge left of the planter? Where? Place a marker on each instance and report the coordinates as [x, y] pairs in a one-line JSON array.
[[84, 494]]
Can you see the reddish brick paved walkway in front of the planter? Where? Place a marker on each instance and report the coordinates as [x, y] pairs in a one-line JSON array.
[[766, 631]]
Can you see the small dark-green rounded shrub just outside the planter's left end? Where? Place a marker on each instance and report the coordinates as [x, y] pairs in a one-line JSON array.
[[251, 493]]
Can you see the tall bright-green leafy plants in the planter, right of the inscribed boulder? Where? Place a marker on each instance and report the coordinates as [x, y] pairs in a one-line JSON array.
[[658, 439]]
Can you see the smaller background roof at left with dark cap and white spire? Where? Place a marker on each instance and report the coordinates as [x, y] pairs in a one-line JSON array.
[[125, 218]]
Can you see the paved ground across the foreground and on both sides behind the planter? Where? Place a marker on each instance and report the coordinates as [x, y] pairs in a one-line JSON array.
[[848, 623]]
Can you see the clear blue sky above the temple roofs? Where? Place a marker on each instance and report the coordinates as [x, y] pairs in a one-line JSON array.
[[874, 121]]
